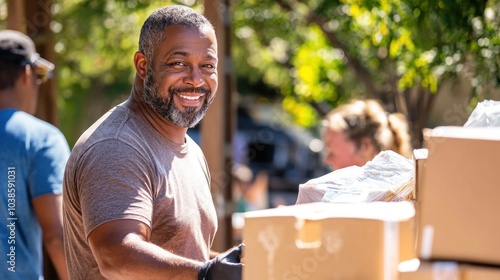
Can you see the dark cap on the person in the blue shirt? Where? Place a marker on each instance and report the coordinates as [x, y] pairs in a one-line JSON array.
[[16, 47]]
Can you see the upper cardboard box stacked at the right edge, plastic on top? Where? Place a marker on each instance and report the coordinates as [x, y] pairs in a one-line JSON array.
[[458, 201]]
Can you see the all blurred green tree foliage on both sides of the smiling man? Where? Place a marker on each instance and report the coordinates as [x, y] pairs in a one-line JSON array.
[[313, 54]]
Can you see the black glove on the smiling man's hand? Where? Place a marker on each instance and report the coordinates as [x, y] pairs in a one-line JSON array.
[[225, 266]]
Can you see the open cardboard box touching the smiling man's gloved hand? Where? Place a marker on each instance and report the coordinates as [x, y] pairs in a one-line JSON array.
[[328, 241]]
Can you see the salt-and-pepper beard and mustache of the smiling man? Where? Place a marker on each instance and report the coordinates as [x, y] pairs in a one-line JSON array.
[[165, 106]]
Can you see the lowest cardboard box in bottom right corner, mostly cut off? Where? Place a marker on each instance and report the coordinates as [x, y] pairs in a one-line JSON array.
[[448, 270]]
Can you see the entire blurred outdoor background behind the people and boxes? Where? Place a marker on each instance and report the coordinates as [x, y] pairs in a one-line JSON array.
[[283, 65]]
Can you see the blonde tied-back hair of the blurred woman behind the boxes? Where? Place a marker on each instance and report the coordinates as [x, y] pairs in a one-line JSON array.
[[367, 118]]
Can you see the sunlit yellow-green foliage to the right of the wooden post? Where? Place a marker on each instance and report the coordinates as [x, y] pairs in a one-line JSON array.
[[319, 53]]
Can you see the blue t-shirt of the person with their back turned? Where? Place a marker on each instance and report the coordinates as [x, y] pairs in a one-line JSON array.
[[33, 155]]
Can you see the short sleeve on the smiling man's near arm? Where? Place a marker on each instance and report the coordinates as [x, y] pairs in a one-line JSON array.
[[114, 182]]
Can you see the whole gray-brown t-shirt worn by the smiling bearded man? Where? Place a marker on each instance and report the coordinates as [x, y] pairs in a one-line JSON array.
[[121, 168]]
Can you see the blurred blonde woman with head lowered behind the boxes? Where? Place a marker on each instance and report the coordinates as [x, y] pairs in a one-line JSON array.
[[355, 132]]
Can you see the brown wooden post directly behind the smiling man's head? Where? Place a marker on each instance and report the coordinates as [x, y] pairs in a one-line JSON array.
[[219, 124]]
